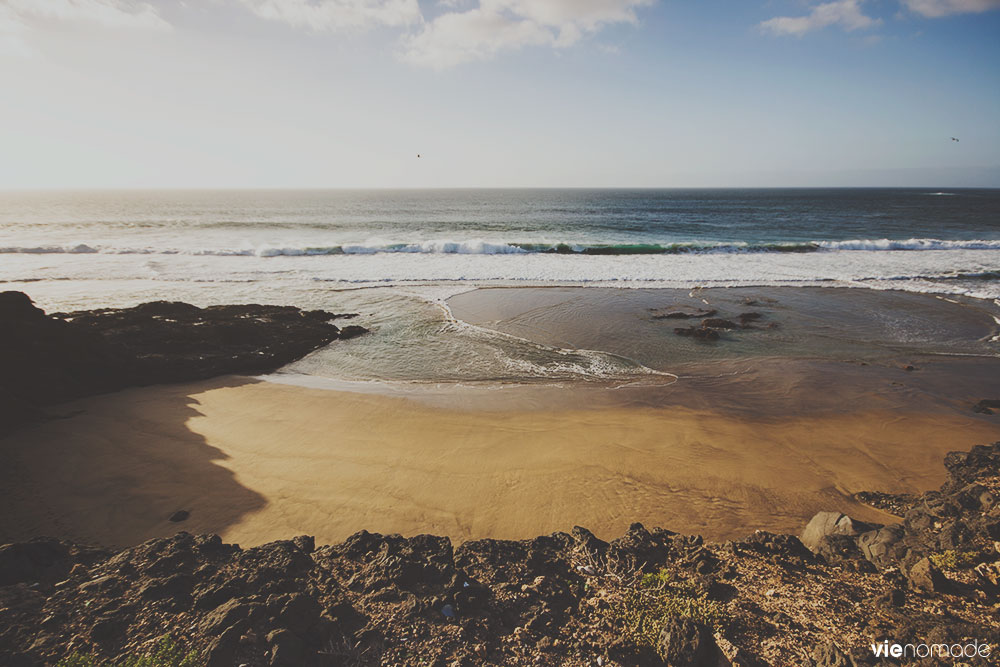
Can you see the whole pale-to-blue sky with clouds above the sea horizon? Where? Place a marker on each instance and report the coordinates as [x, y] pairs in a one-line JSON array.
[[498, 93]]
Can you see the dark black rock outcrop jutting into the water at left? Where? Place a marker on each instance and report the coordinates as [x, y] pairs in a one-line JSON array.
[[47, 359]]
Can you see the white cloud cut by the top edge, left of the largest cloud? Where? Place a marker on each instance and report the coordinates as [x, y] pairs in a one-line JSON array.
[[333, 15]]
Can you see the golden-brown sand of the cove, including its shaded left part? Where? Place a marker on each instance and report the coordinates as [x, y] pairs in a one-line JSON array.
[[258, 461]]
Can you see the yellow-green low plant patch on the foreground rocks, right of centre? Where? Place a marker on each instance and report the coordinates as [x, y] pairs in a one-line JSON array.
[[655, 598]]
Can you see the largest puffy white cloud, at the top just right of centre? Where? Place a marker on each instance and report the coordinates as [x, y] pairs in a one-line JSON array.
[[507, 25]]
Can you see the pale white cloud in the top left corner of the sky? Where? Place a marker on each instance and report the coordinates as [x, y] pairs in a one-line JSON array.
[[19, 18]]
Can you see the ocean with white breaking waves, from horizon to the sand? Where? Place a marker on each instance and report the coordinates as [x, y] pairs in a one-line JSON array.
[[397, 256]]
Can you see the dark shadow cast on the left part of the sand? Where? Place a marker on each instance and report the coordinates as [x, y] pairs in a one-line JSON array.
[[112, 469]]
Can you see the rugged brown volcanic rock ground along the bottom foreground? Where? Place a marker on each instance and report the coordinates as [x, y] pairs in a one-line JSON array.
[[651, 597]]
